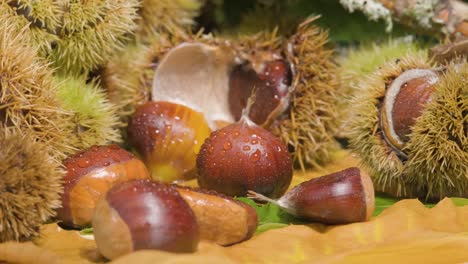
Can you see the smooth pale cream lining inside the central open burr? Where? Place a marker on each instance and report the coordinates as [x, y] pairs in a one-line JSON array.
[[196, 75]]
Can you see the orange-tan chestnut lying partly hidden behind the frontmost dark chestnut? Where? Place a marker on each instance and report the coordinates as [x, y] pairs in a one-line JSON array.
[[222, 219]]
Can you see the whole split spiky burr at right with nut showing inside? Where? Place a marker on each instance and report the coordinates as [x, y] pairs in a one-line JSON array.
[[418, 160]]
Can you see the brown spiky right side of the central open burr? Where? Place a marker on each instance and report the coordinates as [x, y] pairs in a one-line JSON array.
[[313, 118]]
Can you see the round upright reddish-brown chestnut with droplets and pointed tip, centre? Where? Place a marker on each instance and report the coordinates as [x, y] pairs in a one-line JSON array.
[[242, 157]]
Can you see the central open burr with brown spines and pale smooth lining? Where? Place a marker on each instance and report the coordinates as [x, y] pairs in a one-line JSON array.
[[205, 64]]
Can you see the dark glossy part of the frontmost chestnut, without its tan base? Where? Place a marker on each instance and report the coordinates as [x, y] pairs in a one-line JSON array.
[[156, 215]]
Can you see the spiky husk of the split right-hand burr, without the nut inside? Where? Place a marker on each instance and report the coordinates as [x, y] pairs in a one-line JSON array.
[[431, 170]]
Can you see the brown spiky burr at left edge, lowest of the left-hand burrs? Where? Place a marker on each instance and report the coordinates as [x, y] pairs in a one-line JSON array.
[[30, 185]]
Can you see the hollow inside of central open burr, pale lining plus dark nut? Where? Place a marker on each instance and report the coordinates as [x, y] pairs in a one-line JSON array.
[[214, 80]]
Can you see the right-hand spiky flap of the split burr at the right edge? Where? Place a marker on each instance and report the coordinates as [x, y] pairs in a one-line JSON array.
[[438, 163]]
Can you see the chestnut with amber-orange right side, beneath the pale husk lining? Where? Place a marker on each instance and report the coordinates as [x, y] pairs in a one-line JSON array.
[[168, 136]]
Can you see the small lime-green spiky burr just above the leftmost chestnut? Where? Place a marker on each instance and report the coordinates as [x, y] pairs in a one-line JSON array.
[[93, 120]]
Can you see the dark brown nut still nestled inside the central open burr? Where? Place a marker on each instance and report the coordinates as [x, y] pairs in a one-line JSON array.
[[271, 80]]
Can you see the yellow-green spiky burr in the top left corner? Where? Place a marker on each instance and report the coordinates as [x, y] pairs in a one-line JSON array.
[[76, 36]]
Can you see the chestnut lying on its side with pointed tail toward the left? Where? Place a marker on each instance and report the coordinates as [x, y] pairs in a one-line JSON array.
[[339, 198]]
